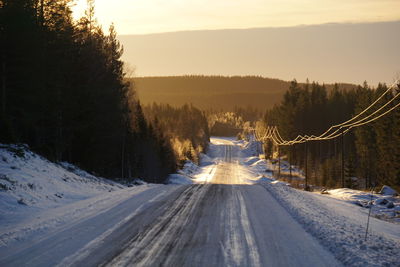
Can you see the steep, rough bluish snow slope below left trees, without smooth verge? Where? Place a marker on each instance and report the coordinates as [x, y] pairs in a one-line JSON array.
[[30, 183]]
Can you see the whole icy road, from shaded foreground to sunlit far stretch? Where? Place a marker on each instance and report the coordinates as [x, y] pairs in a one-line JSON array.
[[224, 221]]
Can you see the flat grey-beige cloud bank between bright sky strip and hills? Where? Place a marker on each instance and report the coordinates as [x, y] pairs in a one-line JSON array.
[[326, 53]]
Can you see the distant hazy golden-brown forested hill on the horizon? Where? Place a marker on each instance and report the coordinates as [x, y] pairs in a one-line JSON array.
[[214, 92]]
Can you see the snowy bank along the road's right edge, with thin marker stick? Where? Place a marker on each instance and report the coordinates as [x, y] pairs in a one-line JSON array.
[[341, 226]]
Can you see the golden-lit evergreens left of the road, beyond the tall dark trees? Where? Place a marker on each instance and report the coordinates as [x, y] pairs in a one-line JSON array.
[[186, 127]]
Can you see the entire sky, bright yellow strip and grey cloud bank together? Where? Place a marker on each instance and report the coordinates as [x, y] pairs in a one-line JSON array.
[[173, 37]]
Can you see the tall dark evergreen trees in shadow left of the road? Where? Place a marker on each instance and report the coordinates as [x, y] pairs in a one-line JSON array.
[[63, 93]]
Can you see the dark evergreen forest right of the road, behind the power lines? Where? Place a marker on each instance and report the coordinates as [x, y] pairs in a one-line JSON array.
[[371, 152]]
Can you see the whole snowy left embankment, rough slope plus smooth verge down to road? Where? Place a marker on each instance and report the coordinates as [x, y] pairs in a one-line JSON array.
[[38, 196]]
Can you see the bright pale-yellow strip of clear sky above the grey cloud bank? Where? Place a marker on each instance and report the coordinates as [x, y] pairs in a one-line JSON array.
[[154, 16]]
